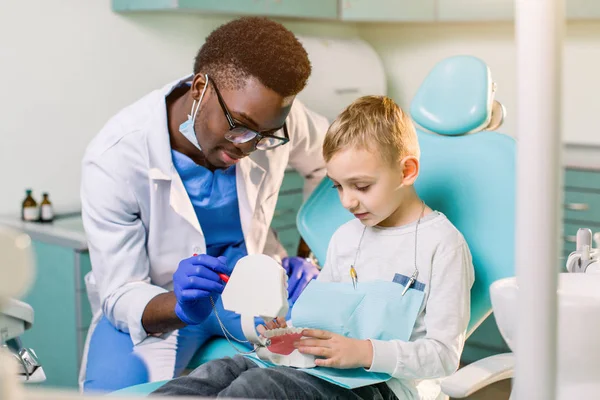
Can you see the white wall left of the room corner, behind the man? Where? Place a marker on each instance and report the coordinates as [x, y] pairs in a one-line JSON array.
[[67, 65]]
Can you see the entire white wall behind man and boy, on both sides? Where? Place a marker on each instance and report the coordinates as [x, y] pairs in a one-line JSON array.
[[66, 66]]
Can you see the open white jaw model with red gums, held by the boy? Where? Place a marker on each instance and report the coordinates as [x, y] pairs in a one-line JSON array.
[[258, 287]]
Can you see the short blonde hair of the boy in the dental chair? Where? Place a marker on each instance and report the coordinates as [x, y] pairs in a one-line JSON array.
[[374, 123]]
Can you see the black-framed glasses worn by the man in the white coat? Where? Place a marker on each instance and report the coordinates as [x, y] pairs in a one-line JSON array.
[[239, 133]]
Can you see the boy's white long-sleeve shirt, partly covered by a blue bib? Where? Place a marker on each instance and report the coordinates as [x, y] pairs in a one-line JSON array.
[[445, 267]]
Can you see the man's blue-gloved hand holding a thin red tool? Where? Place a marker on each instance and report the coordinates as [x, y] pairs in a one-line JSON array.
[[194, 282]]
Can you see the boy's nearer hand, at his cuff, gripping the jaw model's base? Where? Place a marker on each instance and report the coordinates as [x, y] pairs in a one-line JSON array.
[[337, 351]]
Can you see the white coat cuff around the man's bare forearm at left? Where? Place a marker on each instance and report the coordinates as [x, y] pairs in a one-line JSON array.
[[136, 302]]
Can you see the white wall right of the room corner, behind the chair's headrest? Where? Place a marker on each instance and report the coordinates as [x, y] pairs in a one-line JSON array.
[[410, 50]]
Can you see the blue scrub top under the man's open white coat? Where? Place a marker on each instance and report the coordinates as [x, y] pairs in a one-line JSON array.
[[214, 197]]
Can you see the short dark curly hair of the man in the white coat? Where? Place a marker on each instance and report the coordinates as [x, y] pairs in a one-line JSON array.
[[254, 47]]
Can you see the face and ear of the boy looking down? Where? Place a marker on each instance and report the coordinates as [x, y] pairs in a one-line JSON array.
[[369, 186]]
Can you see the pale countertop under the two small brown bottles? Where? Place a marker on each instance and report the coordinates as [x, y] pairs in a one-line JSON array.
[[65, 231]]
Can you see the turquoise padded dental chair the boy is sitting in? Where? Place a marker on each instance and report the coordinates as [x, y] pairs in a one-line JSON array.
[[467, 174]]
